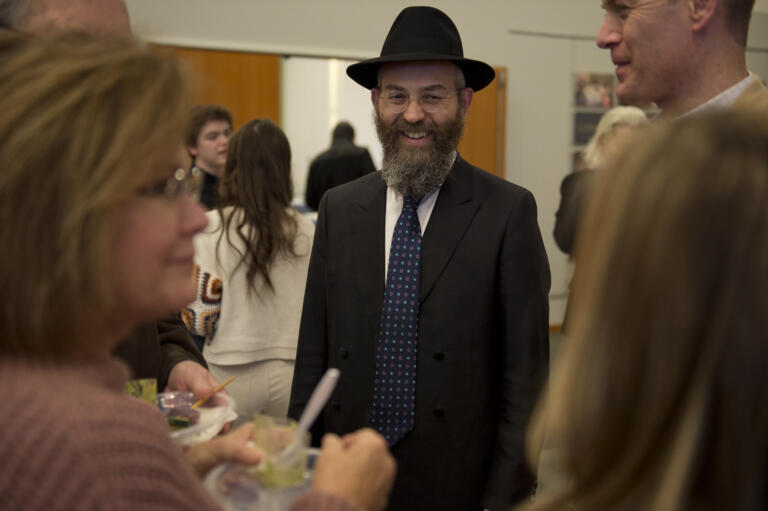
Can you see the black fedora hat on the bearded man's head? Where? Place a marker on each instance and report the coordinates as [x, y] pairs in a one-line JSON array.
[[422, 33]]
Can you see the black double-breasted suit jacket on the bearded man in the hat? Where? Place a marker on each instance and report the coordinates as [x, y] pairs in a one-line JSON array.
[[483, 348]]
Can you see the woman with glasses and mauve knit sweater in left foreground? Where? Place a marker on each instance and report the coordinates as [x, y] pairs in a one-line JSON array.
[[96, 211]]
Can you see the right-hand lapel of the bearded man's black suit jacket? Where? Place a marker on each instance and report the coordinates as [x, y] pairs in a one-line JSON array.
[[453, 212]]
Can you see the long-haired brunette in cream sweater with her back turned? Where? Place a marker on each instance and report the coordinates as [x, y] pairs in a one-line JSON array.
[[252, 270]]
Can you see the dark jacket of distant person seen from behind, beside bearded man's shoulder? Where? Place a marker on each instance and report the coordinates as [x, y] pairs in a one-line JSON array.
[[340, 164]]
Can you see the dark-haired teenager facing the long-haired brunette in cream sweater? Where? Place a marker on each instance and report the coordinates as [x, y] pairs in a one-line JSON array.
[[207, 139]]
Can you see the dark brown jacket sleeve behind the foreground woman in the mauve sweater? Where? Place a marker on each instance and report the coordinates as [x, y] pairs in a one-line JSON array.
[[152, 349]]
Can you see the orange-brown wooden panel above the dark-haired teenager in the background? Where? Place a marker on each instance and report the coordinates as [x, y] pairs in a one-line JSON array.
[[248, 84]]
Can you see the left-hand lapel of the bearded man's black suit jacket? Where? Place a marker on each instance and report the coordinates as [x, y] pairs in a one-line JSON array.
[[368, 232]]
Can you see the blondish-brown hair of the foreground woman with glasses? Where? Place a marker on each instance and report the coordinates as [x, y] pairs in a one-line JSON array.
[[85, 126]]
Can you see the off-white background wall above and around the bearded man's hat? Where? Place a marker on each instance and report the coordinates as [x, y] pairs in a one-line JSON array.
[[539, 41]]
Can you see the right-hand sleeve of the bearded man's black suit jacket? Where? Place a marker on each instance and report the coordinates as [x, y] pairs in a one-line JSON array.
[[524, 282]]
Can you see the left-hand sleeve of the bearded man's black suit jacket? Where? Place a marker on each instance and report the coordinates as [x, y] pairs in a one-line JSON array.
[[311, 354]]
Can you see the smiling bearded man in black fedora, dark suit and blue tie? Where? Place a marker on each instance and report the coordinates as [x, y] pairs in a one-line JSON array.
[[428, 288]]
